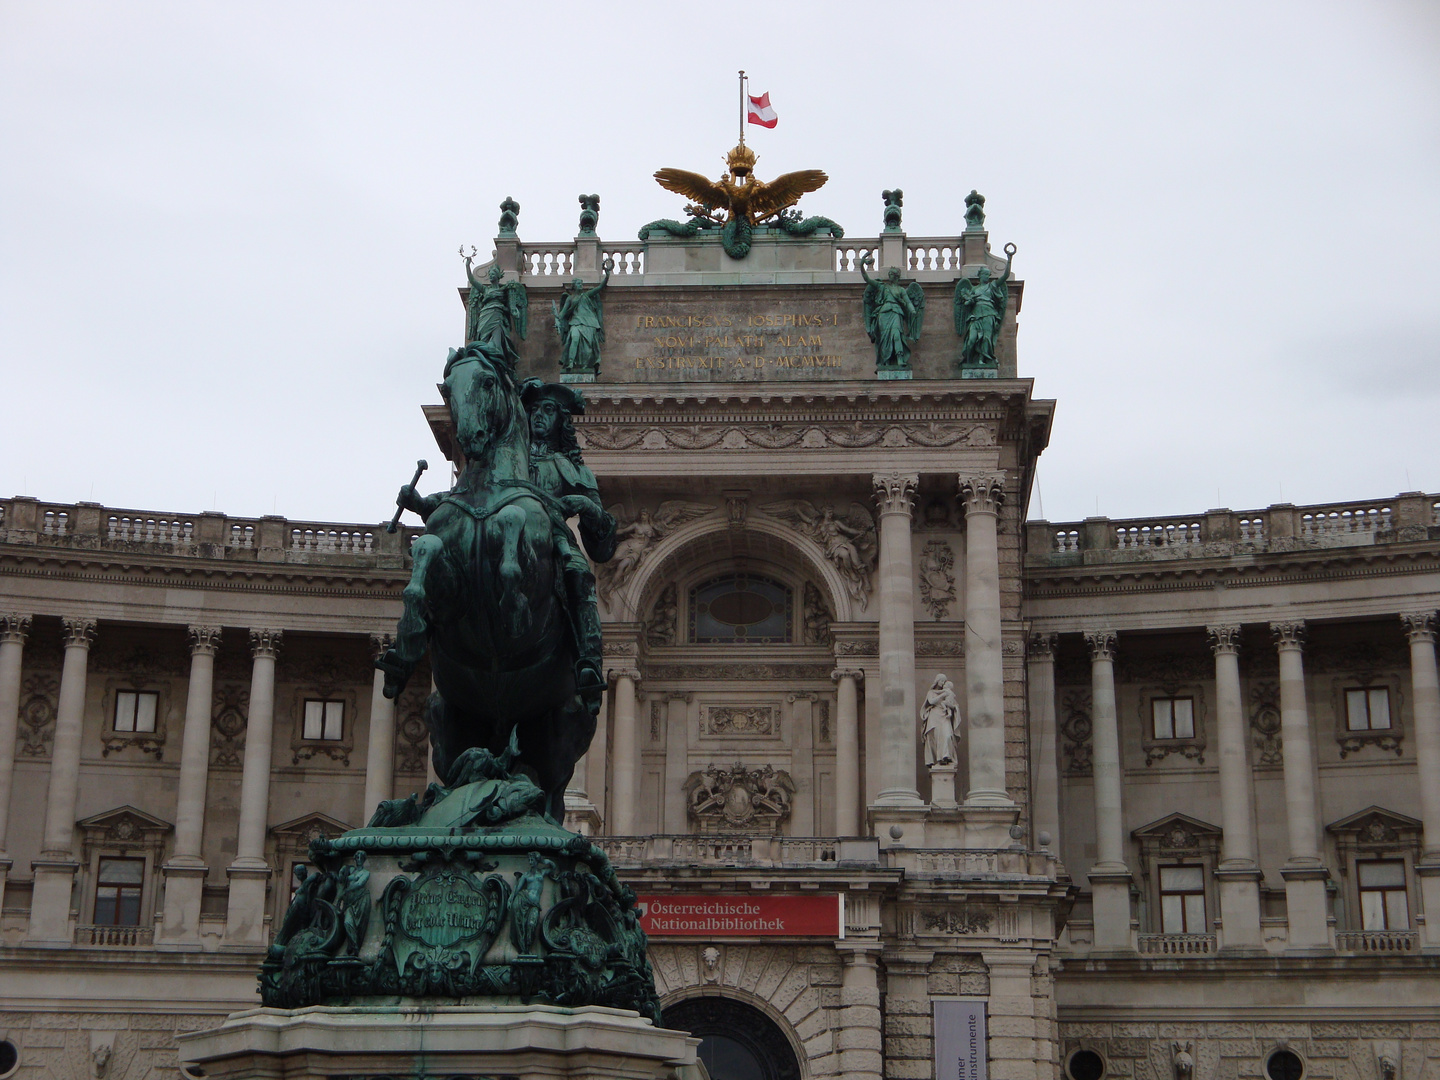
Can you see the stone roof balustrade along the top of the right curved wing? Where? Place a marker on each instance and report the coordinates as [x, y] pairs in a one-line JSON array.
[[1219, 534]]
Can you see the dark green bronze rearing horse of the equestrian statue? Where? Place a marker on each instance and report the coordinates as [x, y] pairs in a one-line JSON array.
[[486, 594]]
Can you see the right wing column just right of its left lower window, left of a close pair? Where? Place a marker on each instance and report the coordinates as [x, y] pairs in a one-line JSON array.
[[1239, 875]]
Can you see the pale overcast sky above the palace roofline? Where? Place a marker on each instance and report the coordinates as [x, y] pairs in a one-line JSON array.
[[228, 231]]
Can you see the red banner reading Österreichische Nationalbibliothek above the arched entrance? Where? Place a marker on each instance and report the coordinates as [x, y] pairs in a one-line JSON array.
[[744, 917]]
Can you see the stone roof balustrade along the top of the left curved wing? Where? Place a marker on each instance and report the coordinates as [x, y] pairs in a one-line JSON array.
[[202, 536]]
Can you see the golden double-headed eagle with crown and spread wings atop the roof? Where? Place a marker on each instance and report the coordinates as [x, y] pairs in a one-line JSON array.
[[738, 202]]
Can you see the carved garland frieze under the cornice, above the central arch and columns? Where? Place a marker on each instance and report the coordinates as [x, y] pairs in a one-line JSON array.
[[778, 436]]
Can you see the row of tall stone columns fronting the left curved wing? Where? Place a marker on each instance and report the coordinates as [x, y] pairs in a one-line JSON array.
[[185, 872]]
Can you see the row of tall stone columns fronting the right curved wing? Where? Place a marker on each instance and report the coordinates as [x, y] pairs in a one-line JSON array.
[[1239, 873]]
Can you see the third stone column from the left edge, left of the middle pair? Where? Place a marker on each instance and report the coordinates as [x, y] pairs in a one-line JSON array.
[[186, 870]]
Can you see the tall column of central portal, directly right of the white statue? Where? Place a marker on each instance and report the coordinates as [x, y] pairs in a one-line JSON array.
[[984, 666]]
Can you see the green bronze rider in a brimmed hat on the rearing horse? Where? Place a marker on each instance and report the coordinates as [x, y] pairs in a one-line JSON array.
[[558, 469]]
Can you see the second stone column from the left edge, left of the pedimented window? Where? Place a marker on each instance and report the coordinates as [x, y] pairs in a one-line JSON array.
[[55, 869]]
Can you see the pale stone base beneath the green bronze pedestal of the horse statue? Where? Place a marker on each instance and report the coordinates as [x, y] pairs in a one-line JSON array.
[[421, 1039]]
